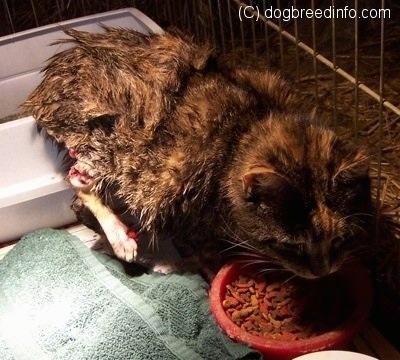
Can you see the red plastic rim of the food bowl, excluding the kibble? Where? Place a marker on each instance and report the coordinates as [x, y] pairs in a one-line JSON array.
[[358, 287]]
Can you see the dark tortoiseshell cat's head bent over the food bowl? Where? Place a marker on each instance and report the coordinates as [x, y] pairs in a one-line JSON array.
[[300, 195]]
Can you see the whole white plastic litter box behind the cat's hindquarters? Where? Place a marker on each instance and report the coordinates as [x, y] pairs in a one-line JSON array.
[[33, 192]]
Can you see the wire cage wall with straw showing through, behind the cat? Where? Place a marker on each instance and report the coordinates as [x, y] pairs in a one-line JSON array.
[[344, 67]]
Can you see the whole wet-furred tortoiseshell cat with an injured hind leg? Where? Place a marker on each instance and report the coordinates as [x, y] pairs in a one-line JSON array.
[[200, 153]]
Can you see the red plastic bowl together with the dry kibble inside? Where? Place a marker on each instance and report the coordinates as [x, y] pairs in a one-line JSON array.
[[284, 318]]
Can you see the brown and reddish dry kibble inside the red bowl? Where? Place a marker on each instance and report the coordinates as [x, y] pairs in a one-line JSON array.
[[287, 310]]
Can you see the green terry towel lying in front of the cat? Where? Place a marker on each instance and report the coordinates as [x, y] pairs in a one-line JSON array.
[[60, 300]]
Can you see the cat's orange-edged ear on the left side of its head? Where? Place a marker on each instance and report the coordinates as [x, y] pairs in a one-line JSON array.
[[259, 179]]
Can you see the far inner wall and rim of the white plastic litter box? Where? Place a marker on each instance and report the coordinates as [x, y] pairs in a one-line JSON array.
[[24, 54]]
